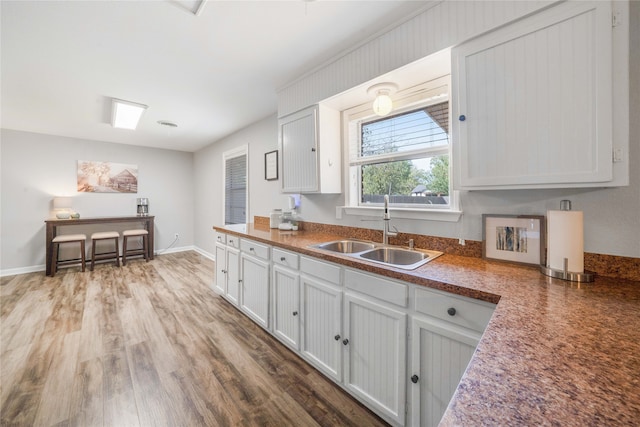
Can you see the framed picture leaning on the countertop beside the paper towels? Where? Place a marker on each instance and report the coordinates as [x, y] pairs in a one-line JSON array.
[[514, 238]]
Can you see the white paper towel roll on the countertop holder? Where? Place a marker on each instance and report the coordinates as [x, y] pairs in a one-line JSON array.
[[565, 239]]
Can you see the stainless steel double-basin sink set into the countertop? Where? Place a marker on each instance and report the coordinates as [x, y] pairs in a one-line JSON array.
[[408, 259]]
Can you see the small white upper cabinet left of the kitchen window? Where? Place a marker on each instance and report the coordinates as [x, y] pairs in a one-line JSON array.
[[310, 149]]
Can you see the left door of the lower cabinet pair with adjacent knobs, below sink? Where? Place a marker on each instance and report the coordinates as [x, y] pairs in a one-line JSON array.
[[322, 326]]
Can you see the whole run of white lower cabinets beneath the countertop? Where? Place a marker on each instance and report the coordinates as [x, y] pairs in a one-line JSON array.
[[353, 326]]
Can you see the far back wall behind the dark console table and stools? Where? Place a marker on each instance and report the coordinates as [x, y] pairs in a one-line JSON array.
[[36, 168]]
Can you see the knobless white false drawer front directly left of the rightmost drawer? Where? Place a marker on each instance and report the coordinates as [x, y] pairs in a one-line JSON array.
[[378, 287]]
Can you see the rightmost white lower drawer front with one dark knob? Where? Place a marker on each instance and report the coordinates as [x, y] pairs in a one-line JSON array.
[[455, 309]]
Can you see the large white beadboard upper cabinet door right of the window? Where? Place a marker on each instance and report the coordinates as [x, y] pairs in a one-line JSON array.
[[533, 102]]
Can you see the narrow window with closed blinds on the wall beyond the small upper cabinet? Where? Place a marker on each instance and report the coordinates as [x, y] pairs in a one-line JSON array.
[[235, 190]]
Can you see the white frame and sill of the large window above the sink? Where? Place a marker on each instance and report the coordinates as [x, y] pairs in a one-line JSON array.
[[427, 93]]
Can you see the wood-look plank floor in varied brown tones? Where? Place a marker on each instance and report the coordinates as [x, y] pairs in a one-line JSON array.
[[150, 344]]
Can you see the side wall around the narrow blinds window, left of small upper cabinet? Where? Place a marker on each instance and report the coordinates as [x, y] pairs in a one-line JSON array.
[[260, 137]]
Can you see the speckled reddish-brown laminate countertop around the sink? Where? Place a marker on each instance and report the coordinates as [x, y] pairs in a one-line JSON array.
[[554, 352]]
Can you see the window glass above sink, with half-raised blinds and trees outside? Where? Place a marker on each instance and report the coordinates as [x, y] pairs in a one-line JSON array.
[[406, 157]]
